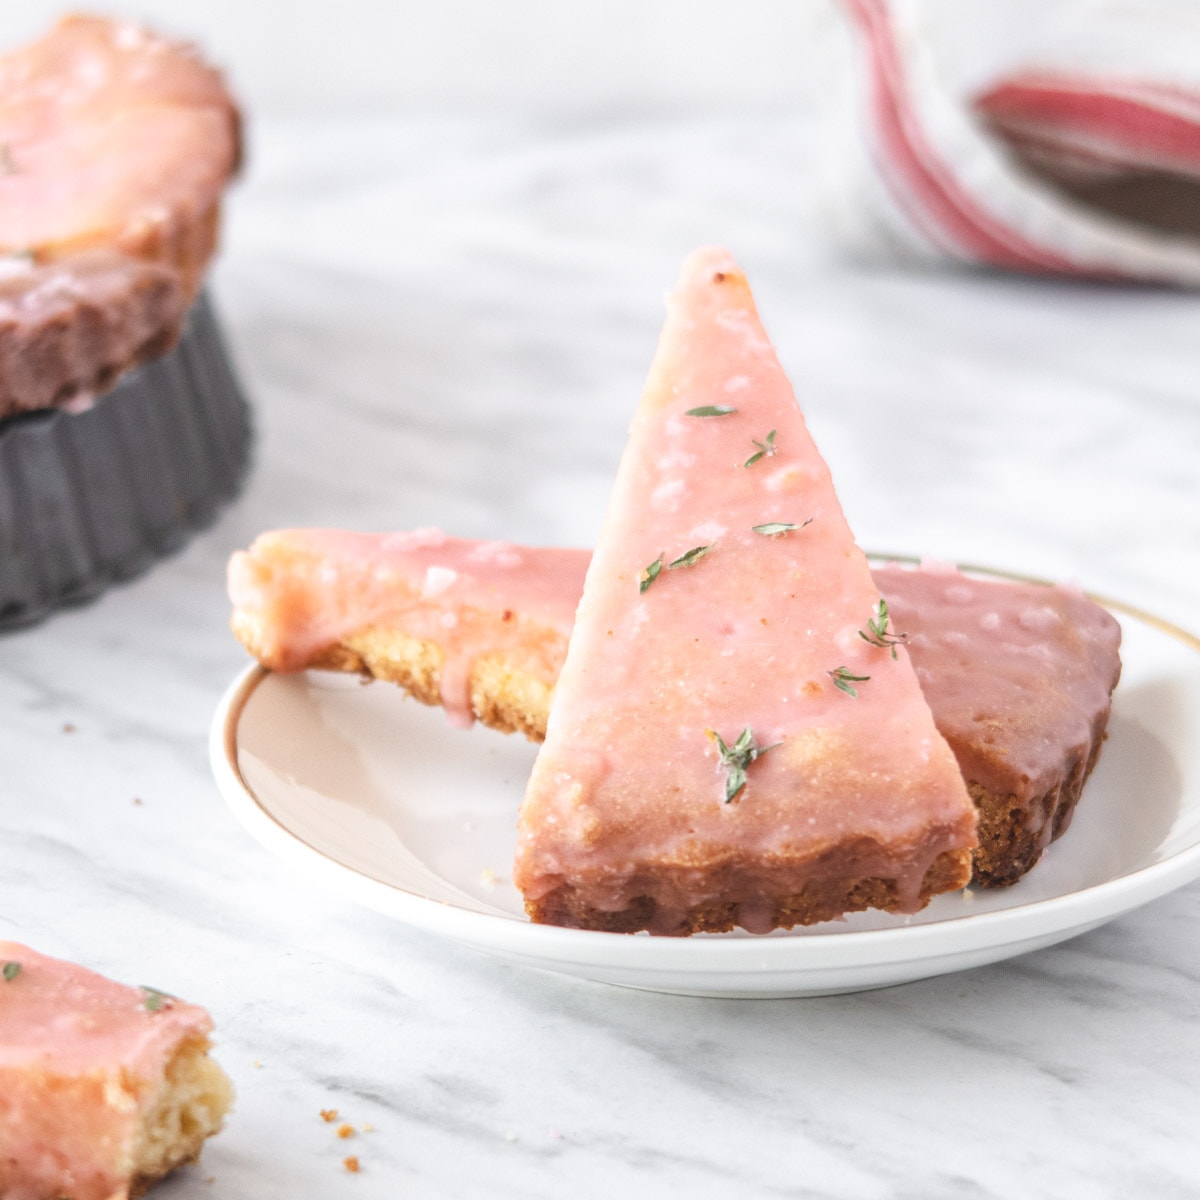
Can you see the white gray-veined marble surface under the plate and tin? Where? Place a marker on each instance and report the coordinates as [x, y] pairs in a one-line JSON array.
[[447, 322]]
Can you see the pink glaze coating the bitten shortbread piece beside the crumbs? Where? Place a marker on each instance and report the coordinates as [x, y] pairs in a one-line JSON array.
[[80, 1058]]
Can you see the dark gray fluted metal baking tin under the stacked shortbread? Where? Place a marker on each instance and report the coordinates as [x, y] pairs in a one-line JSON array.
[[92, 497]]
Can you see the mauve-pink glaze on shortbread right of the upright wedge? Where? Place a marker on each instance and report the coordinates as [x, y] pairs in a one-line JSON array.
[[1017, 675]]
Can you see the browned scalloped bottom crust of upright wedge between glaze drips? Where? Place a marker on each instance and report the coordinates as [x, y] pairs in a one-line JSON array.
[[817, 902]]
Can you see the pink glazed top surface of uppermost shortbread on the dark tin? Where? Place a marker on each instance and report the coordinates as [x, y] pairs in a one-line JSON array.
[[113, 137]]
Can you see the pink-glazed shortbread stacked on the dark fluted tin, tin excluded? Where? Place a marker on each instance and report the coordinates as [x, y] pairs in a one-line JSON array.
[[118, 141]]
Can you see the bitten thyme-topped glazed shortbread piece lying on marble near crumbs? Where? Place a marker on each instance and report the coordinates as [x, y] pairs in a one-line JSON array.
[[104, 1089]]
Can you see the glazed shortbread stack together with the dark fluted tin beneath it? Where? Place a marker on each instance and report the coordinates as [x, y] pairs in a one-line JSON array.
[[116, 148]]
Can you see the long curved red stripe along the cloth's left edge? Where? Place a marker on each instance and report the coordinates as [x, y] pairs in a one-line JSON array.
[[929, 181]]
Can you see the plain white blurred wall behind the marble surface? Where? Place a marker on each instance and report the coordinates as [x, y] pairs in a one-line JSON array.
[[589, 56]]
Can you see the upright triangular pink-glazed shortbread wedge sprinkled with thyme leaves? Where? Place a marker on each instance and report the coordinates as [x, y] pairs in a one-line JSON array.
[[727, 747]]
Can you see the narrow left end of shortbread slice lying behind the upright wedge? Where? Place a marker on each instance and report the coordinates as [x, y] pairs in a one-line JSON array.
[[477, 627]]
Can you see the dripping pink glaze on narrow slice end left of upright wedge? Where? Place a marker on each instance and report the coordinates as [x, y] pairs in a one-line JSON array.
[[303, 591]]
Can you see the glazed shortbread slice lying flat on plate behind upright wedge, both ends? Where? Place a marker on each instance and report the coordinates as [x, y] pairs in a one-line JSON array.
[[1019, 676]]
